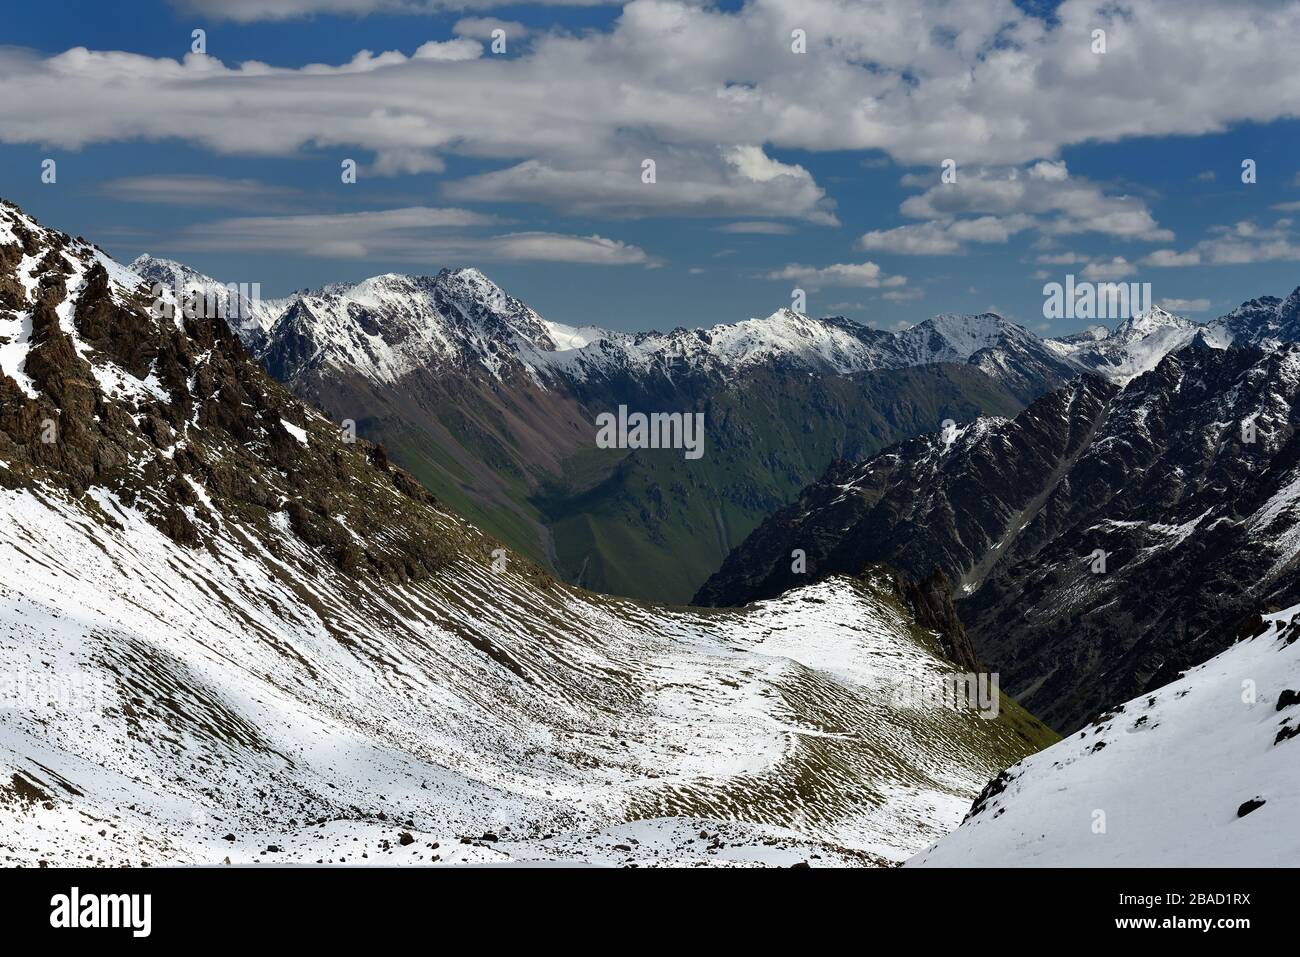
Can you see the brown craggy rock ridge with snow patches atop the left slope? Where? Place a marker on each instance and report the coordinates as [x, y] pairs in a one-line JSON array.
[[172, 415]]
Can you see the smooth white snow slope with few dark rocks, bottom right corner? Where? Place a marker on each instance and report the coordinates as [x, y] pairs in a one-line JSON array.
[[1173, 773]]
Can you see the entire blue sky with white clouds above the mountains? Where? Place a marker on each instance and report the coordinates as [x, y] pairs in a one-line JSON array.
[[1117, 166]]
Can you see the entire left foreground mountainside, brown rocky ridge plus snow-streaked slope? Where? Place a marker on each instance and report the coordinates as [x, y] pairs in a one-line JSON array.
[[229, 633]]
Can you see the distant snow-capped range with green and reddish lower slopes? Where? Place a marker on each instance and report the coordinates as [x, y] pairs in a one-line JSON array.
[[495, 410]]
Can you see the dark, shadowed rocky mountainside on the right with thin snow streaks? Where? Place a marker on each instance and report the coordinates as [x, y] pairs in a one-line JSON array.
[[1099, 543]]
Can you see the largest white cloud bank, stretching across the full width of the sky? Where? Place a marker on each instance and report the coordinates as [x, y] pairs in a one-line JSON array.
[[985, 83]]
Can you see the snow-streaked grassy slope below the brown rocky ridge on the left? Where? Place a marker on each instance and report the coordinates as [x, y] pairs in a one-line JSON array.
[[175, 709]]
